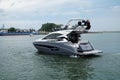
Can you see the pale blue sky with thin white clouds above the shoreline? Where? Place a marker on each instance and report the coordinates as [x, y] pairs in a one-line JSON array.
[[104, 15]]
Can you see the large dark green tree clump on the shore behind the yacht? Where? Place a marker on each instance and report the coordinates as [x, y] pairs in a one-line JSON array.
[[49, 27]]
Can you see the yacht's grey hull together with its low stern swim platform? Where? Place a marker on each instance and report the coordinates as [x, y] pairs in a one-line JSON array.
[[64, 48]]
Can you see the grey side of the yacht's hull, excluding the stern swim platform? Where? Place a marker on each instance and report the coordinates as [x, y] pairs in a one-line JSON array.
[[54, 48]]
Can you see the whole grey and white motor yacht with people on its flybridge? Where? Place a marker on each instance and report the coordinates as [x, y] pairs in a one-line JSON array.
[[67, 41]]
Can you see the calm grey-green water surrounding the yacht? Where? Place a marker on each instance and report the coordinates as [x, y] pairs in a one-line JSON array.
[[19, 60]]
